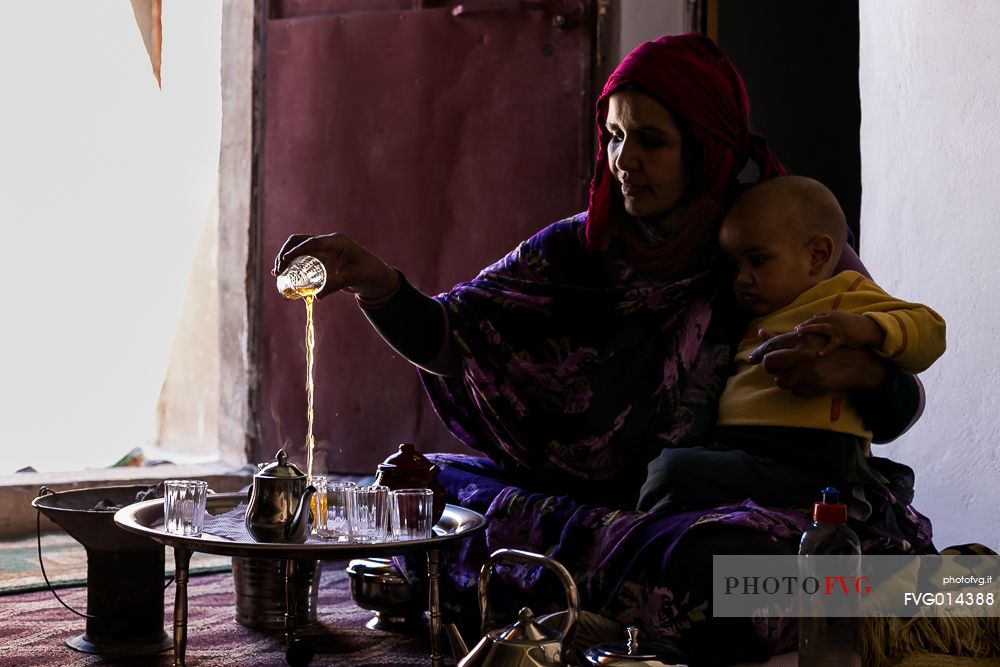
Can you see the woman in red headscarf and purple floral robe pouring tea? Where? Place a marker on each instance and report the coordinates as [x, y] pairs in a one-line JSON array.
[[603, 339]]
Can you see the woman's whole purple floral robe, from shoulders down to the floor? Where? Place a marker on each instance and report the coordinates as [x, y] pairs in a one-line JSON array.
[[576, 374]]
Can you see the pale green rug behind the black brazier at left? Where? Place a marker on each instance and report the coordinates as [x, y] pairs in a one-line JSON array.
[[65, 562]]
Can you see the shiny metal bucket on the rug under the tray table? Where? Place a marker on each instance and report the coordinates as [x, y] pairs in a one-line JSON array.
[[260, 592]]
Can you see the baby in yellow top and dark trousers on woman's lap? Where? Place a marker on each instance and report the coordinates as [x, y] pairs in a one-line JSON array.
[[784, 238]]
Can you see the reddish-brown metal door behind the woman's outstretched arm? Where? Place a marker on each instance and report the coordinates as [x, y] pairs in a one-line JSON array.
[[436, 134]]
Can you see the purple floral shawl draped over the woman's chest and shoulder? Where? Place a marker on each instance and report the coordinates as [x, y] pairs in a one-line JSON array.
[[574, 367]]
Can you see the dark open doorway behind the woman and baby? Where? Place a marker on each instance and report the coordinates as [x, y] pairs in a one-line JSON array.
[[799, 61]]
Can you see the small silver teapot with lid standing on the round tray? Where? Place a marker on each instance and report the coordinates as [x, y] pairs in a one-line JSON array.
[[279, 506]]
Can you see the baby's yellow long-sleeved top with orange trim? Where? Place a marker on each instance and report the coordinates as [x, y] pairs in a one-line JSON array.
[[914, 339]]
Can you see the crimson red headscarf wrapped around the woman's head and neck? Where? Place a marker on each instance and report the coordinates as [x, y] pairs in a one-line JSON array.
[[696, 81]]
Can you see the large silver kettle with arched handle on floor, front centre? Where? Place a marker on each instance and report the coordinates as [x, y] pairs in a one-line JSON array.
[[526, 643]]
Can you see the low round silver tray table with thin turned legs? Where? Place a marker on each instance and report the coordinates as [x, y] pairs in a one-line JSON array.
[[146, 518]]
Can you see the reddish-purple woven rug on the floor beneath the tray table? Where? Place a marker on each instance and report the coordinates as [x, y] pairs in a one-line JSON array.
[[34, 628]]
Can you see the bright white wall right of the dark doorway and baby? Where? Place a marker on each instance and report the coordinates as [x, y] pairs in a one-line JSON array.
[[930, 153]]
